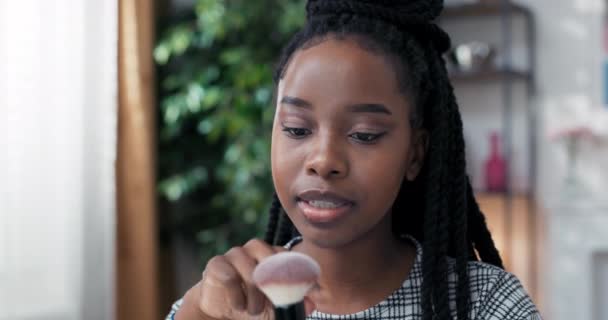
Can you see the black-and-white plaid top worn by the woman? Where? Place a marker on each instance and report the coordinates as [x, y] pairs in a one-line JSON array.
[[495, 295]]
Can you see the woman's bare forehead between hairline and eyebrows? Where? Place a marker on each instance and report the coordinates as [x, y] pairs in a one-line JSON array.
[[341, 69]]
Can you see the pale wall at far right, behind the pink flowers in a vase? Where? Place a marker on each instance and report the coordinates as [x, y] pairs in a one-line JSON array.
[[570, 85]]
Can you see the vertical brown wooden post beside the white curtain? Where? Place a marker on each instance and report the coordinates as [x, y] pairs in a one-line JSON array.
[[137, 255]]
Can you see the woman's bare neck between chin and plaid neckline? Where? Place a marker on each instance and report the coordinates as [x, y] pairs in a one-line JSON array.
[[371, 267]]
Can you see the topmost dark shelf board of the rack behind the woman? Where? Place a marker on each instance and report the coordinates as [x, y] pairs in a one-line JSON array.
[[483, 8]]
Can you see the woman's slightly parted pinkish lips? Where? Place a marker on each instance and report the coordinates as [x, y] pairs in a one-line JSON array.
[[319, 206]]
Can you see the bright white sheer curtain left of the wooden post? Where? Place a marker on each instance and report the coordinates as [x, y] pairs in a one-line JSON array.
[[57, 152]]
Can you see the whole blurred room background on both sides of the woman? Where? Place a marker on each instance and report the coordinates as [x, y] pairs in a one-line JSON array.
[[134, 145]]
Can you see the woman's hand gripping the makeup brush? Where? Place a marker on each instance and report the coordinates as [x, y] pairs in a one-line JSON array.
[[227, 289]]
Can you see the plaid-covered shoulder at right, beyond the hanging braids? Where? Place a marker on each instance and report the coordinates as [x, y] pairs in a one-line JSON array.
[[497, 294]]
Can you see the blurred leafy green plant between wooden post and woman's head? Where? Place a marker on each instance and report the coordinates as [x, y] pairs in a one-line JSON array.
[[215, 90]]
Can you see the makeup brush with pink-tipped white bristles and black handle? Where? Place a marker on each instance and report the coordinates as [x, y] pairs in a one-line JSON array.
[[285, 278]]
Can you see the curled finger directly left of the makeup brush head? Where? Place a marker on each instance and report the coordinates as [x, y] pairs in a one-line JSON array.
[[245, 264]]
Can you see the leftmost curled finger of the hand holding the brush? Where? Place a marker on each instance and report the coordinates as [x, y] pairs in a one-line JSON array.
[[222, 277]]
